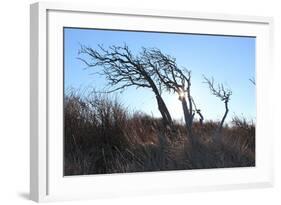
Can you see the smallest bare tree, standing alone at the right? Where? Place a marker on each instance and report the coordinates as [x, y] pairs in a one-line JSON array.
[[224, 95]]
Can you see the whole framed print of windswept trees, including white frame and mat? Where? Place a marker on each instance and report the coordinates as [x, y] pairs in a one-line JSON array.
[[128, 101]]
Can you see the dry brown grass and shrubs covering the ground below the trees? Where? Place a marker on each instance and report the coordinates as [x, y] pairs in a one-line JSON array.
[[101, 136]]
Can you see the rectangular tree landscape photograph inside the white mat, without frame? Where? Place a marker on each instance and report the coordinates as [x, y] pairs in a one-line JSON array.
[[138, 101]]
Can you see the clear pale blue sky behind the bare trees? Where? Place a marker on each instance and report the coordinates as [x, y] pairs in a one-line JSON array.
[[229, 59]]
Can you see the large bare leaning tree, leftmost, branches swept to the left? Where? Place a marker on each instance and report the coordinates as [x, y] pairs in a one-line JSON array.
[[123, 69]]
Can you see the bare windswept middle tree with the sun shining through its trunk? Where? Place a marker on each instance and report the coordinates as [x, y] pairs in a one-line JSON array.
[[170, 77]]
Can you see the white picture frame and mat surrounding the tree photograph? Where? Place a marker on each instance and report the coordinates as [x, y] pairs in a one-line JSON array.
[[47, 182]]
